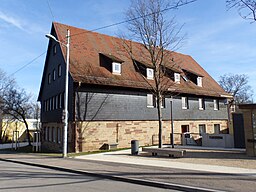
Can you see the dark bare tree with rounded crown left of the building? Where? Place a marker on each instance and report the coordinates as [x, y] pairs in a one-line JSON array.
[[16, 105]]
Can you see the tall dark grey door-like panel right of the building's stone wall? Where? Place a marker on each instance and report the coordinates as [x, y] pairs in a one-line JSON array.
[[238, 126]]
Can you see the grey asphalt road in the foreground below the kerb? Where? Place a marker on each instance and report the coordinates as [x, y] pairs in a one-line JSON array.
[[17, 177]]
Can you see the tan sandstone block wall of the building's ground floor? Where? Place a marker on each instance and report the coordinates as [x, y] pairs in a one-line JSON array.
[[93, 135]]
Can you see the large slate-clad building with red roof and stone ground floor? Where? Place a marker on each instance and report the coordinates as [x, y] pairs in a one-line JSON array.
[[110, 98]]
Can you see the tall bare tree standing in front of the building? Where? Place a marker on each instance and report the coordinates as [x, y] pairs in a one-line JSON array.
[[148, 24]]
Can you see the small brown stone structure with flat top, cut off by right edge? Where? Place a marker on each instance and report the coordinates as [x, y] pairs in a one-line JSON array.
[[249, 115]]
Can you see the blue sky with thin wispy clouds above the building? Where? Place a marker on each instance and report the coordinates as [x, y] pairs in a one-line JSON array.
[[219, 40]]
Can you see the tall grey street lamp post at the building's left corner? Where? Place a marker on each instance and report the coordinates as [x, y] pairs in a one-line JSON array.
[[65, 132]]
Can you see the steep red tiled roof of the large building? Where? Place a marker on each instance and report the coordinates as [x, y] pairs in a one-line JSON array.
[[85, 49]]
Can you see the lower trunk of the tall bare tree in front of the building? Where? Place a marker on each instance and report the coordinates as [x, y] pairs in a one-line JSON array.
[[160, 120]]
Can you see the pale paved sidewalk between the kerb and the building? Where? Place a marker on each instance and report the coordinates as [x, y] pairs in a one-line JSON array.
[[159, 172]]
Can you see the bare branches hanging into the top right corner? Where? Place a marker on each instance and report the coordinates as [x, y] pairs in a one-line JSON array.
[[245, 8]]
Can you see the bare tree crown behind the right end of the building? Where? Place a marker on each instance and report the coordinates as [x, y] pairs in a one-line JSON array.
[[238, 86]]
